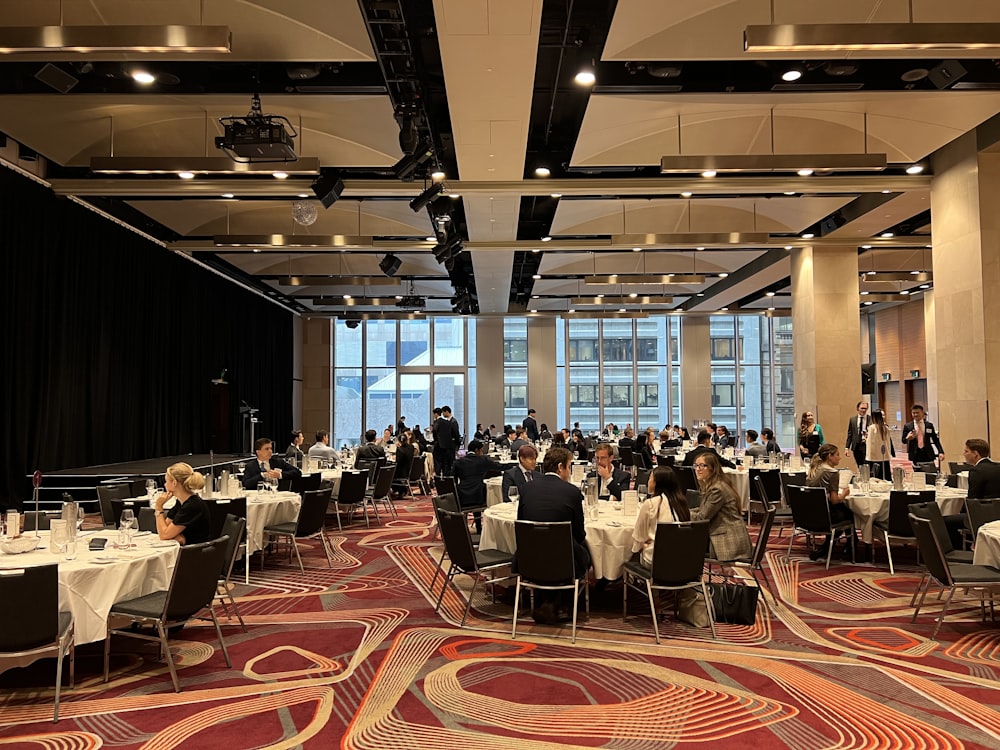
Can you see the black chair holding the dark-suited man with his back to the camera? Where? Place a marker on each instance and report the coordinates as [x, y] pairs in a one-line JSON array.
[[546, 561]]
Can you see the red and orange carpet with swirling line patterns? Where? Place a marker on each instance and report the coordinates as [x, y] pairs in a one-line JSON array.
[[355, 657]]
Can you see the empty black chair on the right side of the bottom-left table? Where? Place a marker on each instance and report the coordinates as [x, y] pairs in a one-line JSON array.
[[192, 589]]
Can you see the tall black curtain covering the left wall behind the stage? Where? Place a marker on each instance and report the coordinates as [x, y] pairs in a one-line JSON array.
[[112, 343]]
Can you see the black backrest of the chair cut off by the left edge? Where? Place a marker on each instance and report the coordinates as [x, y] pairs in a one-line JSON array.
[[31, 600]]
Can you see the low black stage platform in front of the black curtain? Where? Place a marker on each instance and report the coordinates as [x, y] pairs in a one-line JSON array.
[[82, 482]]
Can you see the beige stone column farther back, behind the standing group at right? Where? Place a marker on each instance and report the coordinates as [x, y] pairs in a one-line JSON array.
[[826, 329]]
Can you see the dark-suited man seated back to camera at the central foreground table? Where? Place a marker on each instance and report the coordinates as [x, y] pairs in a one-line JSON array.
[[553, 498]]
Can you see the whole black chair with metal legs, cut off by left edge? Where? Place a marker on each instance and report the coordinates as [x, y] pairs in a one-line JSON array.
[[34, 628]]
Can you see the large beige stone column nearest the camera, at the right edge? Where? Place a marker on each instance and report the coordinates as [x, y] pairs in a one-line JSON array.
[[964, 195]]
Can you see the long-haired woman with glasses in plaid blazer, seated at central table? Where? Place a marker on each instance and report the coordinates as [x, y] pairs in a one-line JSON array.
[[721, 506]]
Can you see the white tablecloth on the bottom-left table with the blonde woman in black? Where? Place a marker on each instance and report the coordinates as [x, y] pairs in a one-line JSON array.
[[88, 588]]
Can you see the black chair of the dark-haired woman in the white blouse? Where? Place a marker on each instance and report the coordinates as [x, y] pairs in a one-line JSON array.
[[678, 563]]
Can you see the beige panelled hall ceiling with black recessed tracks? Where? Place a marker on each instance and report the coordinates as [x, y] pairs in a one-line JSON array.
[[489, 84]]
